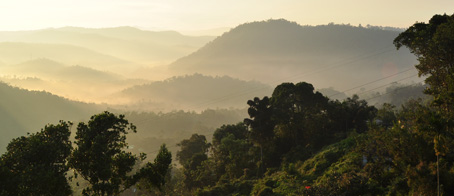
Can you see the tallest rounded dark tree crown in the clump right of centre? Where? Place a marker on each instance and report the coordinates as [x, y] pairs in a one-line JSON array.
[[299, 112]]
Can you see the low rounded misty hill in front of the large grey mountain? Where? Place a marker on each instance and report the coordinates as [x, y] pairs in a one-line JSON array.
[[196, 92]]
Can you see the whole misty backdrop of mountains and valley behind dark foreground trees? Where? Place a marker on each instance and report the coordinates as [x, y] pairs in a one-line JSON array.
[[172, 85]]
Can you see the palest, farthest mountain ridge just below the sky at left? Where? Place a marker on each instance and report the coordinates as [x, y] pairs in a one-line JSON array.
[[131, 44]]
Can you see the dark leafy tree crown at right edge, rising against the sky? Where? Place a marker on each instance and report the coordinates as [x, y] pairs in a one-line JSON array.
[[433, 45]]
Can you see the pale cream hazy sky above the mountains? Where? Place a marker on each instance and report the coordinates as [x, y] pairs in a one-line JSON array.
[[207, 14]]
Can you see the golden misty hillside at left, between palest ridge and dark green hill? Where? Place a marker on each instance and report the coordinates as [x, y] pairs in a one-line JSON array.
[[71, 81]]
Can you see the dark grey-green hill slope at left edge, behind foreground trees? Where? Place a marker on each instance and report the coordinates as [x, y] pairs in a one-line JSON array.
[[23, 111]]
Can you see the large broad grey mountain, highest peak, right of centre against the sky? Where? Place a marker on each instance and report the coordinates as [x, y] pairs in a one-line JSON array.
[[275, 51]]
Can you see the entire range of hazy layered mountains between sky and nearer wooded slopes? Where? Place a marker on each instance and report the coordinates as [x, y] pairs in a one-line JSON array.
[[110, 65]]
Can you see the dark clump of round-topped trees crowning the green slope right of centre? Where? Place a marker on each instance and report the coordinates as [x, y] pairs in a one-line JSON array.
[[297, 122]]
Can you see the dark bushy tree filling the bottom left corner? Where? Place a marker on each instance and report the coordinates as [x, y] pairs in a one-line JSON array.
[[36, 164]]
